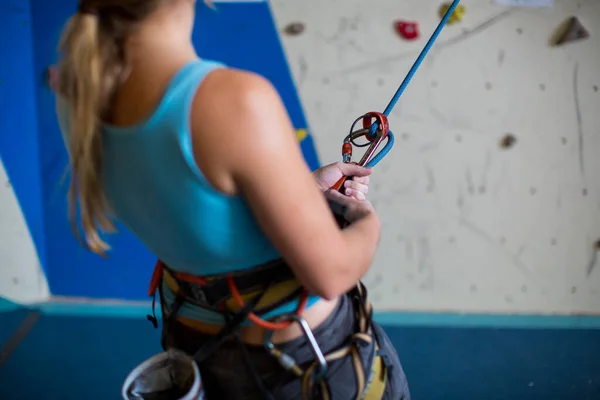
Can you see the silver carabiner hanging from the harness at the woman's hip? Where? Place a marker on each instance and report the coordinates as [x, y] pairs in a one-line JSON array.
[[286, 360]]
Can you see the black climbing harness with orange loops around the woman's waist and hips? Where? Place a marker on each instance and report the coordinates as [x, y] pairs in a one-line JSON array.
[[219, 293]]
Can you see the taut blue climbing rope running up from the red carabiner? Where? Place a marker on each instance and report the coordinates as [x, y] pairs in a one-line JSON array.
[[372, 130]]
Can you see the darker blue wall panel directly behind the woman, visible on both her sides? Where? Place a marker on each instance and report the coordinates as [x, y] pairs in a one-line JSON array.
[[241, 34]]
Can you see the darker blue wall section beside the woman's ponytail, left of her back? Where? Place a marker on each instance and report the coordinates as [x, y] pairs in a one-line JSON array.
[[71, 270]]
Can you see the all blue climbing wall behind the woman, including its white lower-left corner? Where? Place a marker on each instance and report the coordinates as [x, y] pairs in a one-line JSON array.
[[40, 249]]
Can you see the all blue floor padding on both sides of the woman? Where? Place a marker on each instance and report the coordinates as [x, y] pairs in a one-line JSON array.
[[75, 358]]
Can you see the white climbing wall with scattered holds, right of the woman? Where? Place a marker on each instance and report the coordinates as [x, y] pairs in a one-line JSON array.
[[467, 226]]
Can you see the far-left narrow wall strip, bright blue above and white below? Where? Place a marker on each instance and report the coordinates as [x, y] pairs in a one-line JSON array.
[[21, 221]]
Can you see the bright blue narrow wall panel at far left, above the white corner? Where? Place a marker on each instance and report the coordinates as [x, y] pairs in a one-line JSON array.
[[19, 149]]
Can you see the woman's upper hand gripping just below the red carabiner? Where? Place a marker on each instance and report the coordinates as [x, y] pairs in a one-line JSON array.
[[358, 187]]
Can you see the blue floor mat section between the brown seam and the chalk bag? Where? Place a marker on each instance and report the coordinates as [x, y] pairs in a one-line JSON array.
[[65, 358]]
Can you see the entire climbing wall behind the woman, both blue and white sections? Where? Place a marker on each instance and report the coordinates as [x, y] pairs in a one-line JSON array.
[[490, 199]]
